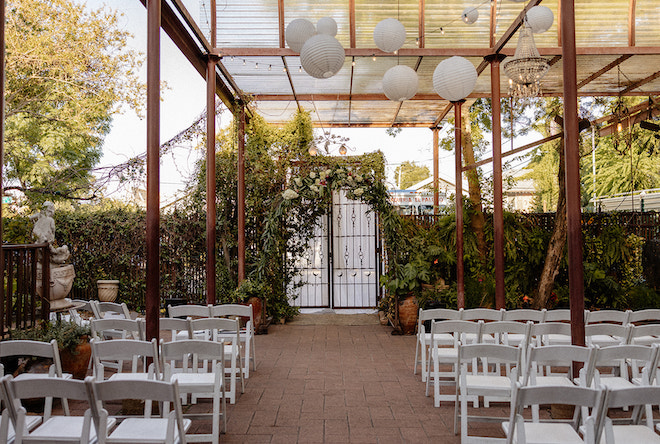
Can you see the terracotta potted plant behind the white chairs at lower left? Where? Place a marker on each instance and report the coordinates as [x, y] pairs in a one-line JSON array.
[[72, 340]]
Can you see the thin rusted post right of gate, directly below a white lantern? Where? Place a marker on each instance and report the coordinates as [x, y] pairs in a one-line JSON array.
[[460, 285]]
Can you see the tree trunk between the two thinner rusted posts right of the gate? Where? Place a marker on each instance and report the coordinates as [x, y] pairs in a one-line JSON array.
[[477, 220]]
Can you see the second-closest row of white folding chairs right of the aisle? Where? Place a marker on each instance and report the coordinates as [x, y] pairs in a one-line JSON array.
[[472, 383]]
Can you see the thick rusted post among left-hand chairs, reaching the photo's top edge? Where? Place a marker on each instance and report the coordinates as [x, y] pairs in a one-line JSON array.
[[152, 302]]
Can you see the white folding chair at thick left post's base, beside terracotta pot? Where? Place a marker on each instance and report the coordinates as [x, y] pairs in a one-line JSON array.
[[131, 350]]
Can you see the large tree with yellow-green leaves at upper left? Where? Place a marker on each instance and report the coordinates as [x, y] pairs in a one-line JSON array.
[[67, 72]]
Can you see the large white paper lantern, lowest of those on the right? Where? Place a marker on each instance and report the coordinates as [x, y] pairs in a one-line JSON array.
[[454, 78]]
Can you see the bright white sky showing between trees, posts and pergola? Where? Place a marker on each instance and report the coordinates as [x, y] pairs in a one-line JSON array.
[[184, 100]]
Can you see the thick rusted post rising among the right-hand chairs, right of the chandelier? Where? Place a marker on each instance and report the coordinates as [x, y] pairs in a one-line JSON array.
[[571, 149]]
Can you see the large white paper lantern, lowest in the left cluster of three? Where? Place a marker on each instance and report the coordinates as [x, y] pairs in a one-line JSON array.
[[322, 56]]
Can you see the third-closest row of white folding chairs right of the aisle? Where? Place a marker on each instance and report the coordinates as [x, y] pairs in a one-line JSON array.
[[446, 335]]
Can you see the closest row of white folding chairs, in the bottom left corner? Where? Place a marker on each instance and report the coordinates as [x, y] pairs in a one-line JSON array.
[[96, 425]]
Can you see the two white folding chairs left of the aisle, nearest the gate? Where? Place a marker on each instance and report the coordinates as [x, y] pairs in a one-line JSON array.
[[220, 311]]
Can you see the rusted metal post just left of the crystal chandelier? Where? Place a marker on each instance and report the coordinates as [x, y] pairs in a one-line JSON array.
[[498, 212]]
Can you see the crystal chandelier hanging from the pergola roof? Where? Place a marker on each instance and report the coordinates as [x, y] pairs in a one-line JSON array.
[[526, 68]]
